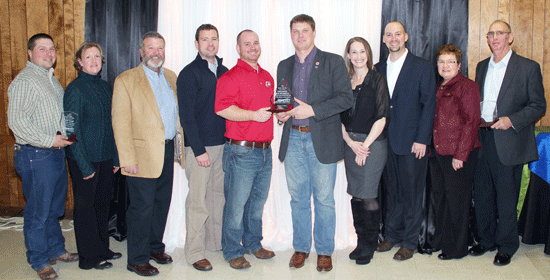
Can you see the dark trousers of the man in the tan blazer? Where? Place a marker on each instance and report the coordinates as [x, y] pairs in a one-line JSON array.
[[148, 210]]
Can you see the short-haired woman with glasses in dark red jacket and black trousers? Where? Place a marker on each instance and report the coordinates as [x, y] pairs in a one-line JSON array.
[[456, 142]]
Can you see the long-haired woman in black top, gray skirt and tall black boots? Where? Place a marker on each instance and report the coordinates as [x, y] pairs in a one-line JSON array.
[[366, 146]]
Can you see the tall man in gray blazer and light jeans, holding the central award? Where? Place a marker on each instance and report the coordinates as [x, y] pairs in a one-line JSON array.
[[312, 140]]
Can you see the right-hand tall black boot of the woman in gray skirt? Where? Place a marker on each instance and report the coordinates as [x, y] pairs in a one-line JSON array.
[[372, 227]]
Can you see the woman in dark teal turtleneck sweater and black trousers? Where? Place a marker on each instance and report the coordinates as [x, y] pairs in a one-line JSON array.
[[92, 159]]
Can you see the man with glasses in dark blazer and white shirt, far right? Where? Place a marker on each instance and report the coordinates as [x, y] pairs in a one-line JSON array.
[[511, 91]]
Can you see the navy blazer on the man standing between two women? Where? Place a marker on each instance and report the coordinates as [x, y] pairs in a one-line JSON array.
[[412, 105]]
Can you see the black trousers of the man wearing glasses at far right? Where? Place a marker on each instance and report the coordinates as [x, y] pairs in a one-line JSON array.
[[496, 192]]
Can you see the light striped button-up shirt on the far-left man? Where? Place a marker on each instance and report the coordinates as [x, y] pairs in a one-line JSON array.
[[35, 106]]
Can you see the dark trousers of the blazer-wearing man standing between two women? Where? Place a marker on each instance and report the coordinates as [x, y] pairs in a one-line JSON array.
[[405, 182]]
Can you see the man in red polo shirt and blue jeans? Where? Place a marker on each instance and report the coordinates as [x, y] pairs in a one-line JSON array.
[[243, 97]]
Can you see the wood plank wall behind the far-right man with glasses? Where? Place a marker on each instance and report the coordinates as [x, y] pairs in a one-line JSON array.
[[530, 22]]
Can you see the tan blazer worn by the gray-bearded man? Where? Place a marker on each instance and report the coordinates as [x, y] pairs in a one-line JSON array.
[[137, 124]]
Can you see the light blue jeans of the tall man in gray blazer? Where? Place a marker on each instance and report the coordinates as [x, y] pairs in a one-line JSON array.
[[305, 176]]
